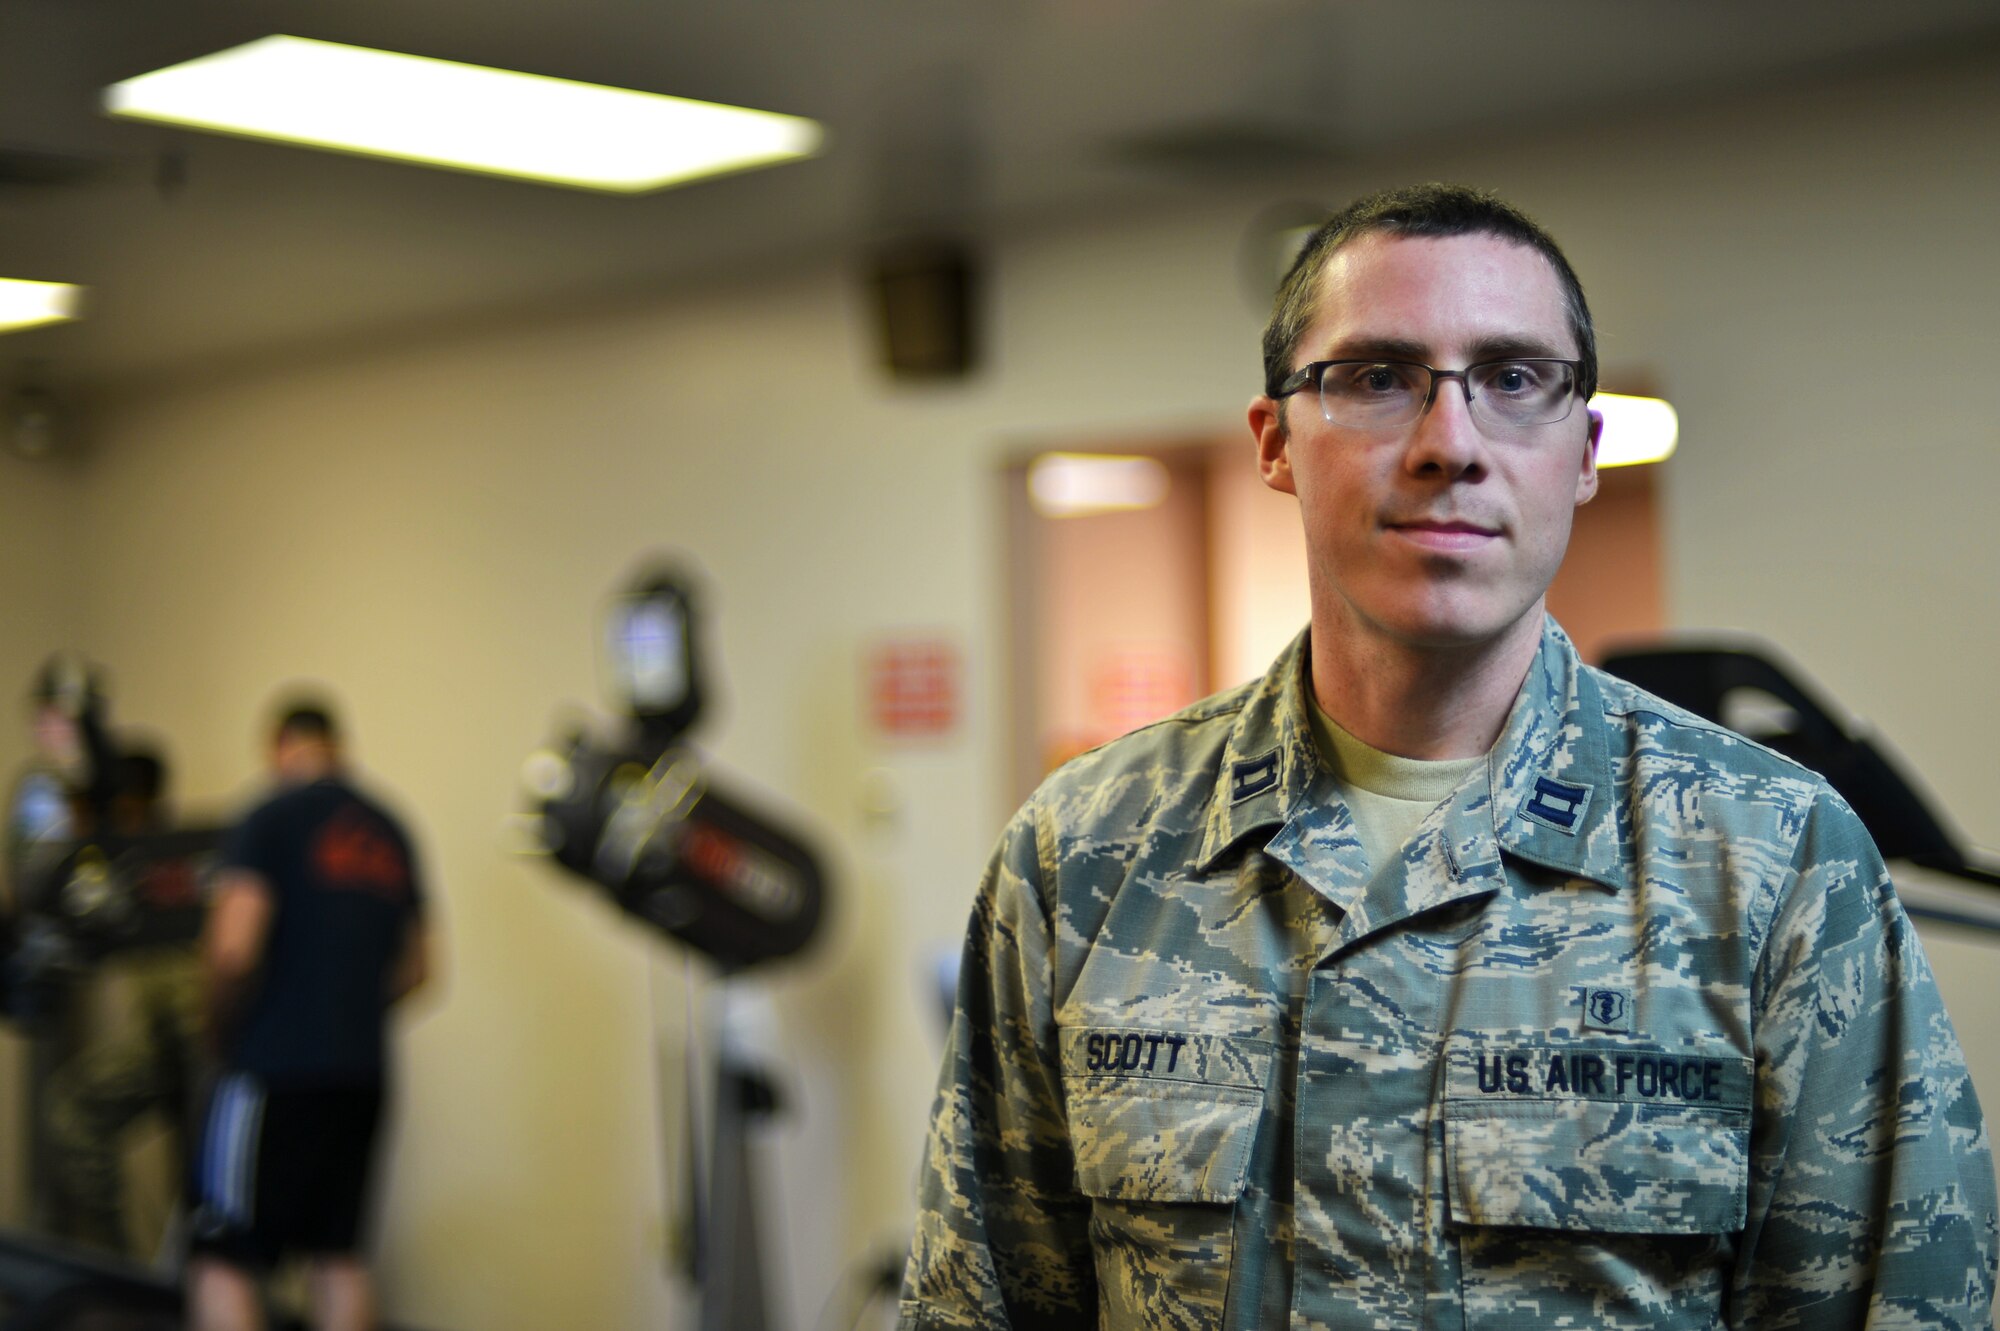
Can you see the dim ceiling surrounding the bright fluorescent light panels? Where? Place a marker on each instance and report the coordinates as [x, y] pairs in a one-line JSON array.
[[977, 115]]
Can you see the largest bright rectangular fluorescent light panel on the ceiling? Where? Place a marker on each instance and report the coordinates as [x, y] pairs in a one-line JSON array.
[[463, 117]]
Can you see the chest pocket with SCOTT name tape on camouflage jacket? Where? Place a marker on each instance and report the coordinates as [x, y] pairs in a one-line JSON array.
[[1163, 1126]]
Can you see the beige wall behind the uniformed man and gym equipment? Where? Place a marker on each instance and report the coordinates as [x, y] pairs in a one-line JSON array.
[[431, 529]]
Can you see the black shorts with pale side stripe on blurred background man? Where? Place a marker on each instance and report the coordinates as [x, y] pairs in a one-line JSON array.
[[283, 1172]]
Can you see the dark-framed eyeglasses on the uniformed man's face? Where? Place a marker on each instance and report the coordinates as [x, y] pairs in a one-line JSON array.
[[1379, 395]]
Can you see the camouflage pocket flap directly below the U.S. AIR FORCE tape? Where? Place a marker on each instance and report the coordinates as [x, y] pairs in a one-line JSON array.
[[1597, 1164]]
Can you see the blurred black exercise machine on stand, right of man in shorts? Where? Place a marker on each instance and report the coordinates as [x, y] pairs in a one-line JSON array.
[[639, 812]]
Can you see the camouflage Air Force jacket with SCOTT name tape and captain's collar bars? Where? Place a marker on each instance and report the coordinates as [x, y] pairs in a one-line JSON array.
[[1633, 1034]]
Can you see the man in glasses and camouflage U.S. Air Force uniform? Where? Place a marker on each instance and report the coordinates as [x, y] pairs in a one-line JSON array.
[[1439, 980]]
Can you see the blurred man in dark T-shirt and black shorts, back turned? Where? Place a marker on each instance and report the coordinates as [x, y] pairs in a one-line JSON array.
[[317, 928]]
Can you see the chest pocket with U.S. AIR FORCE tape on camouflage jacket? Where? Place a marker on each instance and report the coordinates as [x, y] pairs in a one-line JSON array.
[[1615, 1198]]
